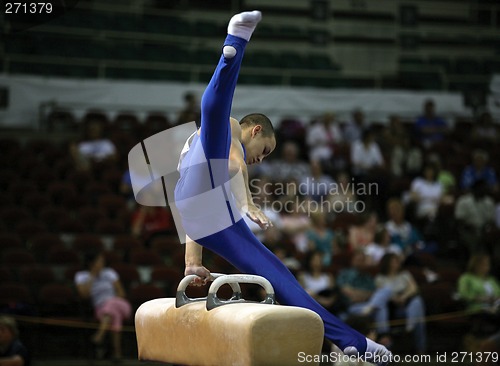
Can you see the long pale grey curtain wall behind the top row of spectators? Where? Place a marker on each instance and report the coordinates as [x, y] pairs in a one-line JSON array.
[[27, 94]]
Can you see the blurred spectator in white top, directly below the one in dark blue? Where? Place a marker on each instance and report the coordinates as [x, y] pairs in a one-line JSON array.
[[426, 193]]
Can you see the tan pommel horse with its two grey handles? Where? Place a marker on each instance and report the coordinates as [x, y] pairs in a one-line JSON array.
[[214, 332]]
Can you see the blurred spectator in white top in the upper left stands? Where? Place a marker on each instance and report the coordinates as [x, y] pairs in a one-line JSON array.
[[94, 146]]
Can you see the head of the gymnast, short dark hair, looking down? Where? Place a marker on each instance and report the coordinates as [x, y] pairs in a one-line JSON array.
[[257, 135]]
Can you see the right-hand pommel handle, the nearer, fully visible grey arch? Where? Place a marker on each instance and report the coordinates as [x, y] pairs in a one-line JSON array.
[[213, 301]]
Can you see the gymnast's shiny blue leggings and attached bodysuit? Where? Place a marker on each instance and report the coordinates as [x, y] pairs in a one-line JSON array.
[[237, 244]]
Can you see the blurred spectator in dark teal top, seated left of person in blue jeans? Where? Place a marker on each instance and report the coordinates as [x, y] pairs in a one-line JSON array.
[[360, 293]]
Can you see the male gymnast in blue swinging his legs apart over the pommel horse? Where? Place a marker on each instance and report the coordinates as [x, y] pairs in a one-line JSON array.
[[220, 150]]
